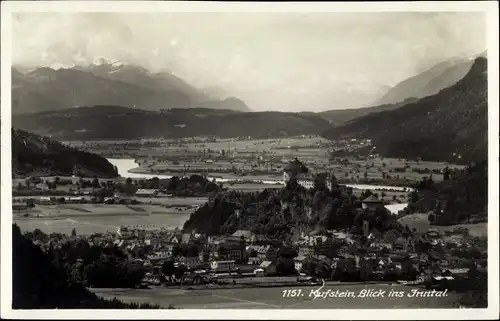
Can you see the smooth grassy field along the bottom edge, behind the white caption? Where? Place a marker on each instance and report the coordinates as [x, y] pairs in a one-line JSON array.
[[272, 298]]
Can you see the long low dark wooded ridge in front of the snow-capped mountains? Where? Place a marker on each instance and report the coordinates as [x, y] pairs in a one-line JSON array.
[[115, 122]]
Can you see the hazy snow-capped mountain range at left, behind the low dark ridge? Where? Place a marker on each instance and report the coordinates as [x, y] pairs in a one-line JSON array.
[[105, 83]]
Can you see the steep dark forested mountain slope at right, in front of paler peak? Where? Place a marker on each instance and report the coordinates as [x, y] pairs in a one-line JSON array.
[[448, 126]]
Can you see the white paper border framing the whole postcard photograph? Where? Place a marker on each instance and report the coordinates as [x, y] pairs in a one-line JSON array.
[[489, 7]]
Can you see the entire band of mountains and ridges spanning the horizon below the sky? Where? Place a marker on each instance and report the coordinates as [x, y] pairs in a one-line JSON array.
[[439, 114]]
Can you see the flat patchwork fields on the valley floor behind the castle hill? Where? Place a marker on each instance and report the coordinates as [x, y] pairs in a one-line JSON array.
[[188, 155]]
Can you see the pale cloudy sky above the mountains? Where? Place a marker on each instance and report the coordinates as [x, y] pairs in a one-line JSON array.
[[272, 61]]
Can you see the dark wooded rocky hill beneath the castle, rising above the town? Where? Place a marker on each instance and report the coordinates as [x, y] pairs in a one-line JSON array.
[[281, 214]]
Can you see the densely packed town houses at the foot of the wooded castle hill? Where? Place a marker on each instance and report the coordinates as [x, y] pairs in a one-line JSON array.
[[245, 253]]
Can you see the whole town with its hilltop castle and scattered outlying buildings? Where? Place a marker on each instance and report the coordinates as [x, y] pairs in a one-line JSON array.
[[197, 259]]
